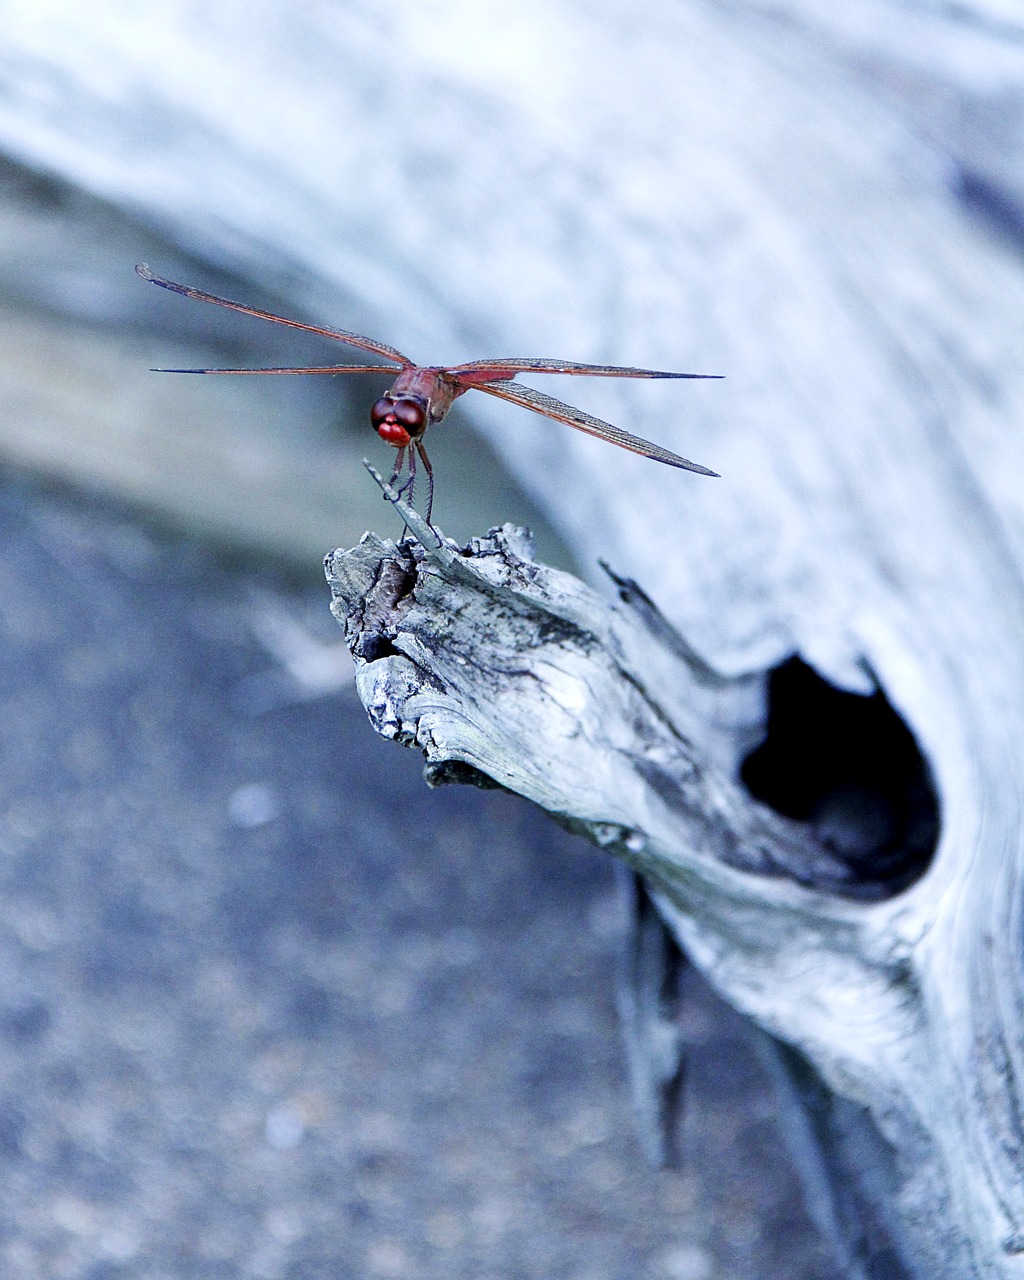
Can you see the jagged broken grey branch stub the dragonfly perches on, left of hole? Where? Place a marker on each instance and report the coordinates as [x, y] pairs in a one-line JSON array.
[[522, 656]]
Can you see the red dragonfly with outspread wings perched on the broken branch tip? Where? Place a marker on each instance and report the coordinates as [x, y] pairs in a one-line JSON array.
[[424, 395]]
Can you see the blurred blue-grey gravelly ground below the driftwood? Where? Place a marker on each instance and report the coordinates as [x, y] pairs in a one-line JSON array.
[[272, 1009]]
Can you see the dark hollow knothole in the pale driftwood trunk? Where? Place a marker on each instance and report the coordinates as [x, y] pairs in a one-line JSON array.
[[848, 765]]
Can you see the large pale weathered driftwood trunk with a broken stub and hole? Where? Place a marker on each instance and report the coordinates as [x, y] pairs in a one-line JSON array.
[[826, 207]]
